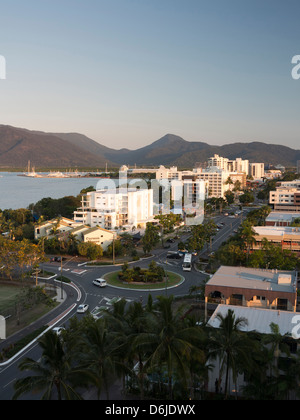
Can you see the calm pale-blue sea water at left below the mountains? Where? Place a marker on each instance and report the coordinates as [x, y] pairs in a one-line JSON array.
[[18, 192]]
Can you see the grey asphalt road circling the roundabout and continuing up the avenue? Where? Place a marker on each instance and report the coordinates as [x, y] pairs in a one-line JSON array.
[[82, 277]]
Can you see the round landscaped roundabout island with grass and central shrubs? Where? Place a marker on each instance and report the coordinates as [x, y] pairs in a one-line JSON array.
[[153, 278]]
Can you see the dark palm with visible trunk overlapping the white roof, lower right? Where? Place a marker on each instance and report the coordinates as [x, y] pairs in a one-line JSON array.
[[230, 346]]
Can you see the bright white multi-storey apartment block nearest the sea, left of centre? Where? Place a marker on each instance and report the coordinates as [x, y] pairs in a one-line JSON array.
[[116, 208]]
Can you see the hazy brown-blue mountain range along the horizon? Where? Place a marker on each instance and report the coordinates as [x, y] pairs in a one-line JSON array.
[[70, 150]]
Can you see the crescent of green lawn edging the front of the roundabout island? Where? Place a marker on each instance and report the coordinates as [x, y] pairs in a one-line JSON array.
[[173, 280]]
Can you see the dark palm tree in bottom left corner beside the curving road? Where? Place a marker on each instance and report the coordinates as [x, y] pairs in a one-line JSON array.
[[53, 375]]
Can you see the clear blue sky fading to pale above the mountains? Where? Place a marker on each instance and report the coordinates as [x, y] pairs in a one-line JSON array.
[[127, 72]]
